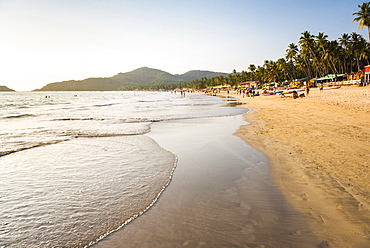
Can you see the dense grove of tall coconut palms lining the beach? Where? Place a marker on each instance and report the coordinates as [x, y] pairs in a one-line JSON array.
[[312, 56]]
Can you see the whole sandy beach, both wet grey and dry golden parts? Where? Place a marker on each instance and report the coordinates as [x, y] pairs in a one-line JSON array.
[[303, 182]]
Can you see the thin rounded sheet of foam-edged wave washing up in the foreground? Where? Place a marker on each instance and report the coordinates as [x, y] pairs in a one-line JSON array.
[[71, 193]]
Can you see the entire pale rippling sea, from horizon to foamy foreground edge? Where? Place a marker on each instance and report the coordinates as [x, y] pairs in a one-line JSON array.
[[76, 166]]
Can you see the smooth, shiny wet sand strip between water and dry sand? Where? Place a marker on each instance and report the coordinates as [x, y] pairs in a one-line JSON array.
[[221, 195]]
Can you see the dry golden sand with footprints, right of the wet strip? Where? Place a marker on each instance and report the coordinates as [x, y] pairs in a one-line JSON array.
[[319, 151]]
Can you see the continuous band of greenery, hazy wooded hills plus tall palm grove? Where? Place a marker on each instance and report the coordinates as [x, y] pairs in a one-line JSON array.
[[310, 57]]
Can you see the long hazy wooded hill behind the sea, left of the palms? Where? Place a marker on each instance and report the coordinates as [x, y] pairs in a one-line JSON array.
[[138, 77]]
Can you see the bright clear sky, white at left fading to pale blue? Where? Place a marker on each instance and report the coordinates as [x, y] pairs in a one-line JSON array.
[[46, 41]]
